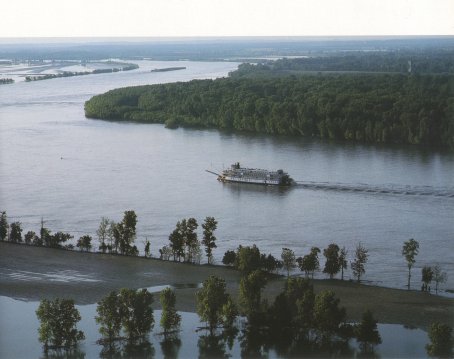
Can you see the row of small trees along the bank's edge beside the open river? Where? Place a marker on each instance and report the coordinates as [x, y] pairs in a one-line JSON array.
[[119, 238]]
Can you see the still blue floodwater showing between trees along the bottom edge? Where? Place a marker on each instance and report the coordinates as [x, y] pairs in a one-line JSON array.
[[19, 336]]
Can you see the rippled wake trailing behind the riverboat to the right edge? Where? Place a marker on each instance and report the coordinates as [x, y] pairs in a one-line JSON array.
[[447, 192]]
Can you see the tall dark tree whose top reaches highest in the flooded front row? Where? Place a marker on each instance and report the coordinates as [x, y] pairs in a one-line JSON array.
[[250, 294]]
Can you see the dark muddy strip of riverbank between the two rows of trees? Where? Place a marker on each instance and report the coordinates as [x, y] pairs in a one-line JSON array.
[[32, 273]]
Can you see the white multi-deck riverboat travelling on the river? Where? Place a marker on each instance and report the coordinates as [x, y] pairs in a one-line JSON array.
[[239, 174]]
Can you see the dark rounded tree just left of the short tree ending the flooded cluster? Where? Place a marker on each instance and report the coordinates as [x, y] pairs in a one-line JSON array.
[[328, 316]]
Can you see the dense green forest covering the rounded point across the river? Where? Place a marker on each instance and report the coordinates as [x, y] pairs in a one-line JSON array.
[[374, 108]]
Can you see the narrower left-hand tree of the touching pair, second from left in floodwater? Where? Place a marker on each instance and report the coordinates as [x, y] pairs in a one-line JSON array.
[[109, 316]]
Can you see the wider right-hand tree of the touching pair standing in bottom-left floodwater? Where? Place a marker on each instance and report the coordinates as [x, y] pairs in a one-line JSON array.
[[136, 312]]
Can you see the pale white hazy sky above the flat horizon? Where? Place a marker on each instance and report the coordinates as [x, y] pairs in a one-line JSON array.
[[151, 18]]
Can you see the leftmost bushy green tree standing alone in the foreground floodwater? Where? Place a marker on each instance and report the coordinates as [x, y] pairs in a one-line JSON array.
[[58, 319]]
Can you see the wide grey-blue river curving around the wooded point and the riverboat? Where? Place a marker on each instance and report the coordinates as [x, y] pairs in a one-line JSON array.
[[57, 165]]
